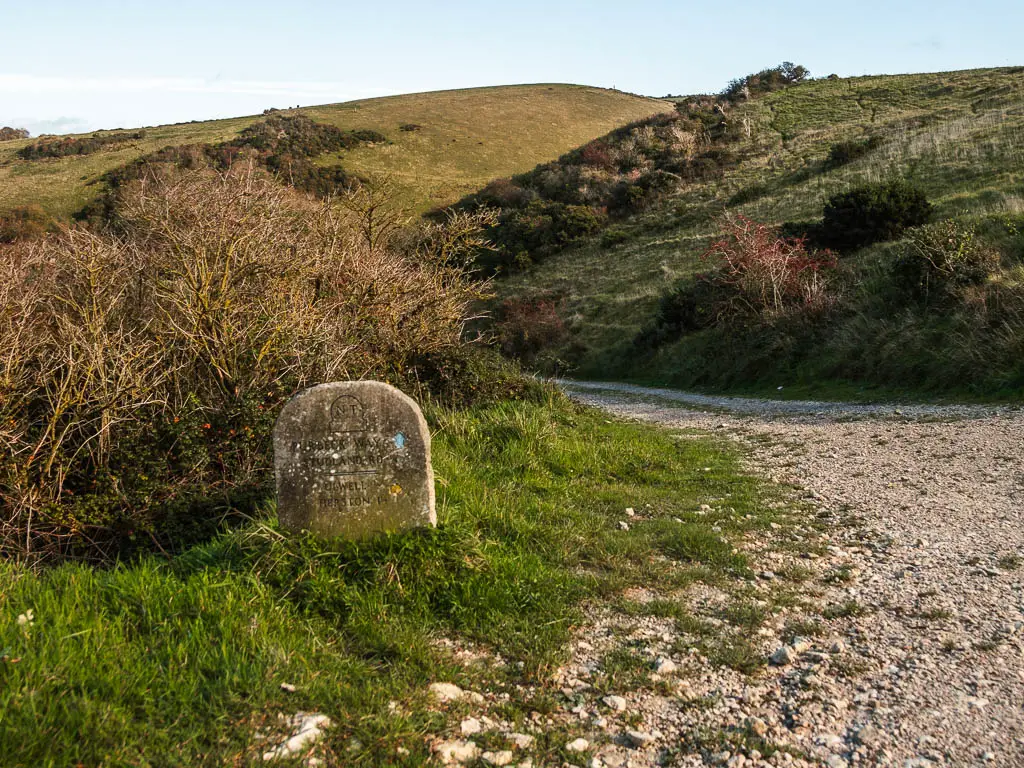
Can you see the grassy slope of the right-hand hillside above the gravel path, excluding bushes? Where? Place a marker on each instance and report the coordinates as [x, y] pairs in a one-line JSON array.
[[958, 136]]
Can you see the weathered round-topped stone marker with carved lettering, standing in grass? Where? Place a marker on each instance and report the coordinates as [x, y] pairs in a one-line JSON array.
[[353, 459]]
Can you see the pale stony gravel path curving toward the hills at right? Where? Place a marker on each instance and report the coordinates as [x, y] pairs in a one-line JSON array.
[[929, 636]]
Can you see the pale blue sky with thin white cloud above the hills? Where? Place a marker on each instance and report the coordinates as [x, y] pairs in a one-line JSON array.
[[99, 64]]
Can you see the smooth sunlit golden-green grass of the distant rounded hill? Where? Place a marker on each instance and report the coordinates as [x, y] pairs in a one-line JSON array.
[[465, 139]]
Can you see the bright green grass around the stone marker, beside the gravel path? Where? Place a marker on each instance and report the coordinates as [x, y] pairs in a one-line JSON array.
[[179, 662]]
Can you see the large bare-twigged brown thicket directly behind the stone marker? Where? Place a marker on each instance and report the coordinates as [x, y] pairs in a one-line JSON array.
[[142, 374]]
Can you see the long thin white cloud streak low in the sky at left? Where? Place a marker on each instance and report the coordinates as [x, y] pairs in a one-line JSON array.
[[36, 84]]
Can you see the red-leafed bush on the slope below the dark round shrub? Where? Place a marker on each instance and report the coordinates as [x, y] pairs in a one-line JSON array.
[[770, 273]]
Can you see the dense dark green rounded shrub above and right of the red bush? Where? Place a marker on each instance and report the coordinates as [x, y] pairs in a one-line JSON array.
[[873, 215]]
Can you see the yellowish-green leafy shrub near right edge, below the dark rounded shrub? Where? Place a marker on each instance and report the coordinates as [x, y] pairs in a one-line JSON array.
[[940, 263]]
